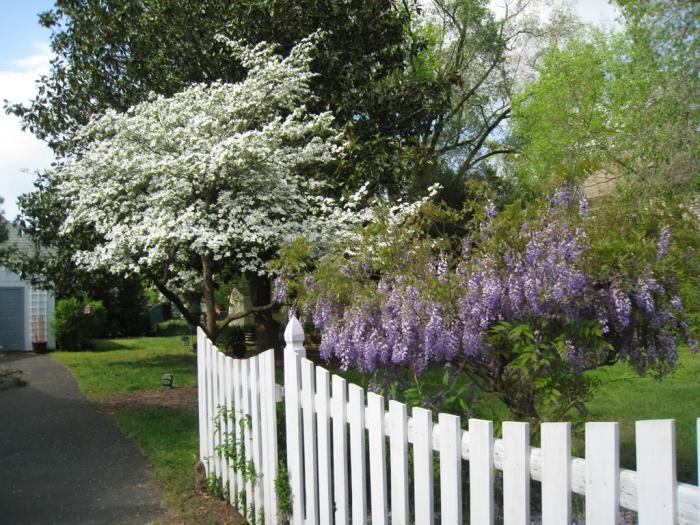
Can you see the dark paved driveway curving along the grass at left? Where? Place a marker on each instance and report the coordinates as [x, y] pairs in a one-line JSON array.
[[61, 460]]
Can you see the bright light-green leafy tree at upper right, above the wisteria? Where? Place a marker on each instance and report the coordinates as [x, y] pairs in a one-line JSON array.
[[621, 104]]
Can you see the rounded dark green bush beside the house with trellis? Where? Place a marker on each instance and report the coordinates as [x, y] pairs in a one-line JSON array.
[[73, 328]]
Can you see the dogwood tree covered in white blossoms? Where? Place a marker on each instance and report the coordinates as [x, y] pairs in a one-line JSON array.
[[206, 182]]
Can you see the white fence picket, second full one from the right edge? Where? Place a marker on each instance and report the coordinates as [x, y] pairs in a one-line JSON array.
[[602, 473]]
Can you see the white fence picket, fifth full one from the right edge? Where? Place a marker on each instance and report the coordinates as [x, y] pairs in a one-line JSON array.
[[481, 499]]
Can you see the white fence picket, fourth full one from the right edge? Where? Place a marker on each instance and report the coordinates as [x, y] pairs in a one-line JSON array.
[[516, 473]]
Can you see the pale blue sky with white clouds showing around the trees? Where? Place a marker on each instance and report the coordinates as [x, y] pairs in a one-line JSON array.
[[24, 56]]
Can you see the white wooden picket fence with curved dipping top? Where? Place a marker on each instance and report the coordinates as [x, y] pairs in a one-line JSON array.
[[340, 470]]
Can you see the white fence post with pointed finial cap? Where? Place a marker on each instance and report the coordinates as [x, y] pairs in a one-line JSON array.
[[294, 351]]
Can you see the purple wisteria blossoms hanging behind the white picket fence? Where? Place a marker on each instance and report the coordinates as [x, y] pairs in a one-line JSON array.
[[450, 312]]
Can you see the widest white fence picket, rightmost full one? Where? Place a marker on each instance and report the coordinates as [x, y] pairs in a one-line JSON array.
[[656, 471]]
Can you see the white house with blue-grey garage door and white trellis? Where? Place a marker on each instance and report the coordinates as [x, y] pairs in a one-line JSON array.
[[25, 312]]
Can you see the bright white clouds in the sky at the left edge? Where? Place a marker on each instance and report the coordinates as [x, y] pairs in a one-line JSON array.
[[21, 154]]
